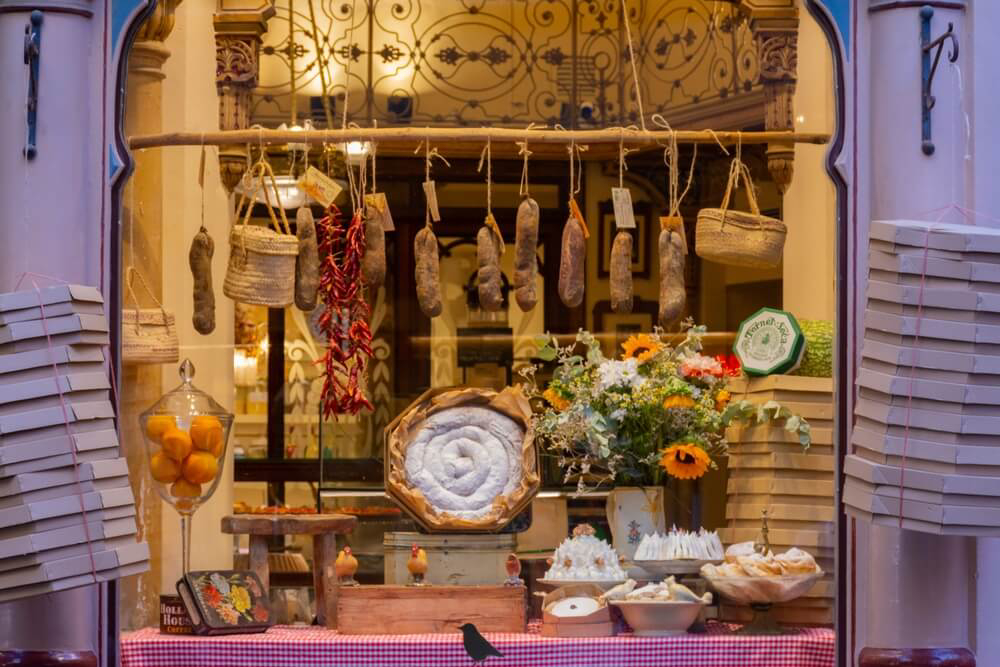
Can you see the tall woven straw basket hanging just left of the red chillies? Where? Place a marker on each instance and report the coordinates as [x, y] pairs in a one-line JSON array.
[[261, 267]]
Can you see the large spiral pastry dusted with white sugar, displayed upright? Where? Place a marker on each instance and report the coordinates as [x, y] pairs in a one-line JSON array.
[[464, 458]]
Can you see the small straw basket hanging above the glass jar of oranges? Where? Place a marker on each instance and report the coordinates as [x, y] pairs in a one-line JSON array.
[[149, 335]]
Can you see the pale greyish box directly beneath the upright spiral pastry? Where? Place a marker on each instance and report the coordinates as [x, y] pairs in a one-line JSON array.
[[458, 560]]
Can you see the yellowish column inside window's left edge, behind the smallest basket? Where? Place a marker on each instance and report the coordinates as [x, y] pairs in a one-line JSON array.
[[142, 246]]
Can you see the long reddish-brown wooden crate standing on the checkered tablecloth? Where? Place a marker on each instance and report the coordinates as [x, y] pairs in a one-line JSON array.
[[404, 610]]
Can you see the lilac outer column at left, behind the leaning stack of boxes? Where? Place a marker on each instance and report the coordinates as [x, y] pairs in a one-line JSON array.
[[51, 223]]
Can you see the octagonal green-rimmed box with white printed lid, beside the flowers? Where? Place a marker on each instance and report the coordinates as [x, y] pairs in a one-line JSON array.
[[769, 342]]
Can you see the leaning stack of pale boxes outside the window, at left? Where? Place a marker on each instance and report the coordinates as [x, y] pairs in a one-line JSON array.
[[65, 520]]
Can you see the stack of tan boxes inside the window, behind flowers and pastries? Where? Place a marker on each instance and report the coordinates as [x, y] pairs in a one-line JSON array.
[[770, 470]]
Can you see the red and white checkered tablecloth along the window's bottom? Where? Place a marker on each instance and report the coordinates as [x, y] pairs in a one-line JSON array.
[[301, 646]]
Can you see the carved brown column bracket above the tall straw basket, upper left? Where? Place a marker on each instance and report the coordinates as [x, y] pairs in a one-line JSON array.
[[239, 25]]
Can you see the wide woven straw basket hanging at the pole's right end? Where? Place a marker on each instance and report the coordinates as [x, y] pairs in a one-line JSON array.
[[737, 238]]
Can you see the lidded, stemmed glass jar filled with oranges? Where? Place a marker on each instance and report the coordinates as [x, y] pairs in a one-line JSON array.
[[186, 434]]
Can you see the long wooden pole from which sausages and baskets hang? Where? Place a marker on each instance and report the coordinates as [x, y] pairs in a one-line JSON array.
[[414, 135]]
